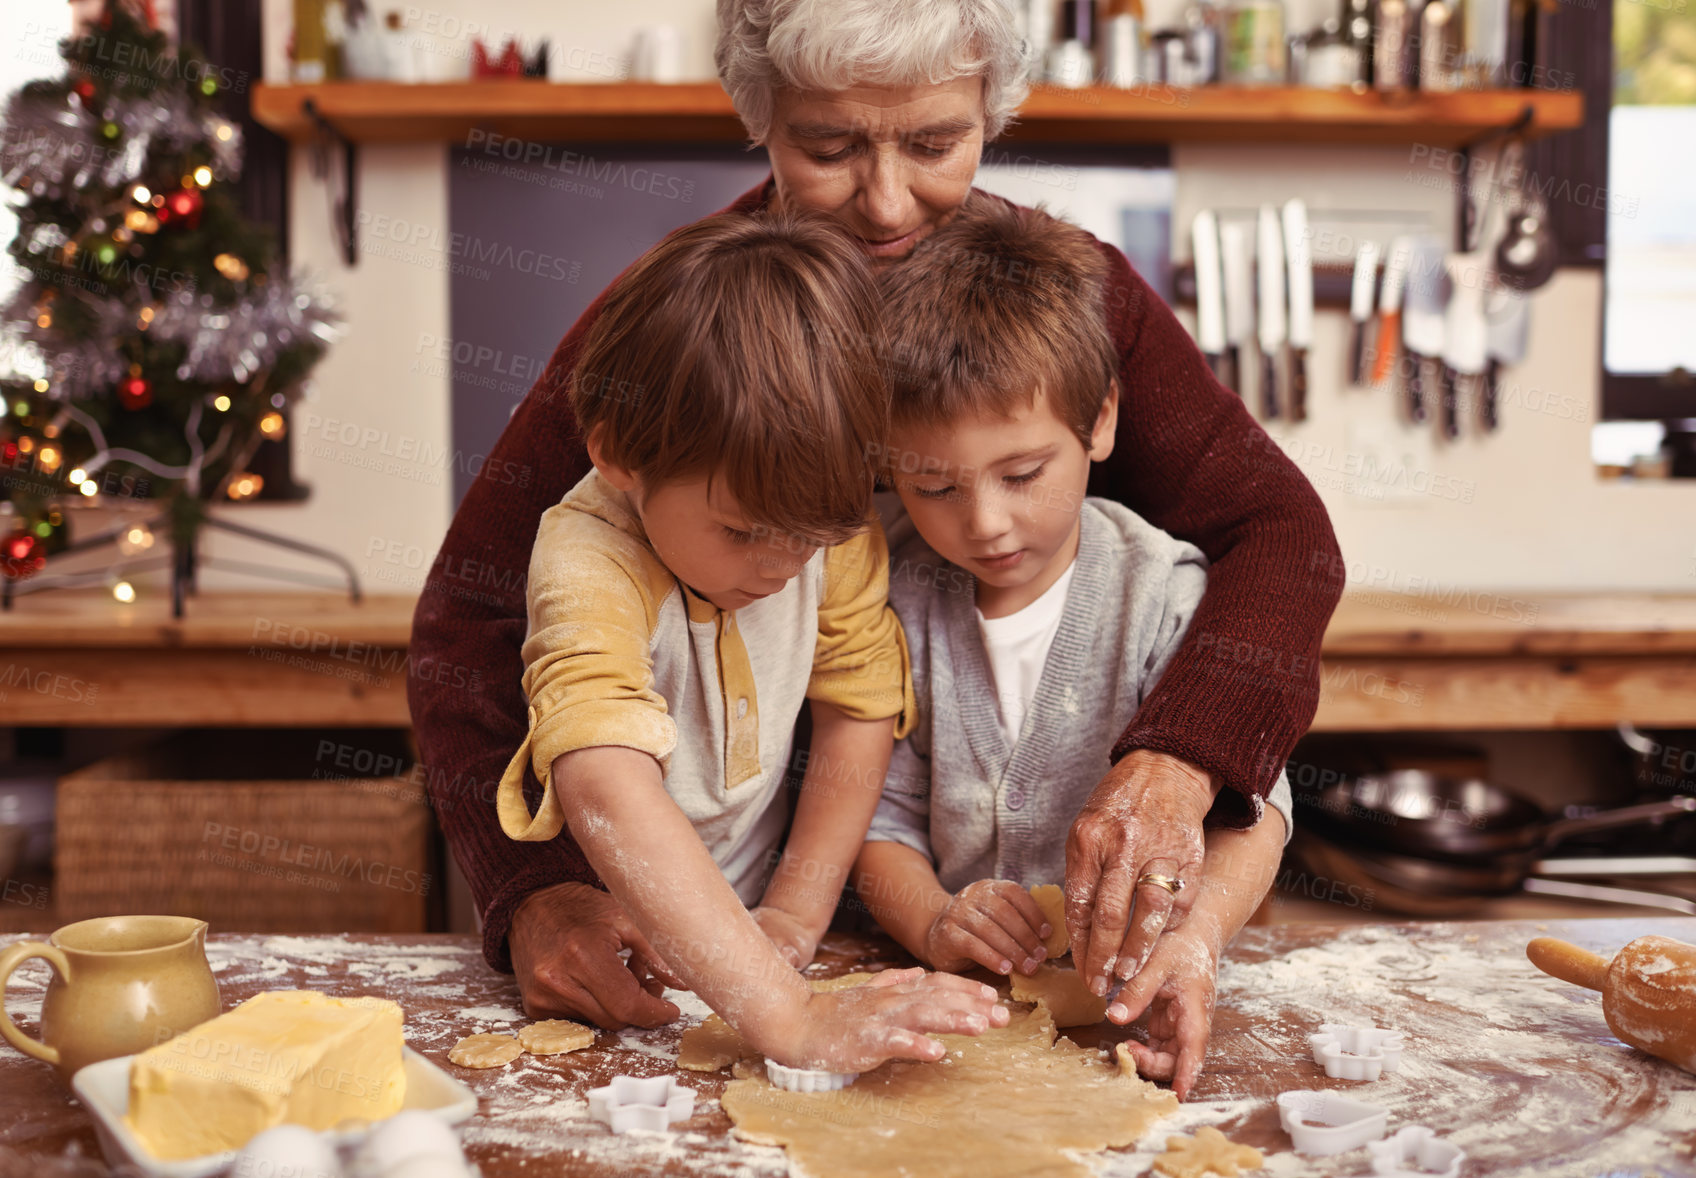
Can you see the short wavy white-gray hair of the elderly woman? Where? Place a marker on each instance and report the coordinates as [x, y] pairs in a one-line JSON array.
[[834, 45]]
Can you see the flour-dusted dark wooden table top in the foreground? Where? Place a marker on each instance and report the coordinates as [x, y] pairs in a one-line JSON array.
[[1514, 1067]]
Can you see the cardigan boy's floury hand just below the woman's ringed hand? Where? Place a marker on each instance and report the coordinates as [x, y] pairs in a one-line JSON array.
[[1178, 991]]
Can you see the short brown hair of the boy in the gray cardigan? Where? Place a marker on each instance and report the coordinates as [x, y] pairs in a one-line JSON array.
[[998, 306]]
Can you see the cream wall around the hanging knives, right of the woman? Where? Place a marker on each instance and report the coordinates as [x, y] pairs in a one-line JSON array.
[[1515, 509]]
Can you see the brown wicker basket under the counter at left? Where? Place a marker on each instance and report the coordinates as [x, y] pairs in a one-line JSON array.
[[257, 831]]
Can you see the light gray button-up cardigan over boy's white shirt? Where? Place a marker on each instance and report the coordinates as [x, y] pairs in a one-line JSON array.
[[956, 792]]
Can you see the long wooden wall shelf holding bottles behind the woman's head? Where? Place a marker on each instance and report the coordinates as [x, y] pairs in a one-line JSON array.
[[701, 113]]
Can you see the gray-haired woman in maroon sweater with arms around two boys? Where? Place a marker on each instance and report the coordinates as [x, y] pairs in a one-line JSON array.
[[878, 113]]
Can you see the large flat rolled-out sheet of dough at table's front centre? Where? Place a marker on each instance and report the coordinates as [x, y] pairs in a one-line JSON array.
[[1005, 1104]]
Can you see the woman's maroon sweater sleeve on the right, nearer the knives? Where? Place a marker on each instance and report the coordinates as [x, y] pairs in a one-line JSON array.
[[1191, 460]]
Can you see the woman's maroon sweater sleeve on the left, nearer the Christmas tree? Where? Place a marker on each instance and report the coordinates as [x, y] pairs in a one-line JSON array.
[[471, 614]]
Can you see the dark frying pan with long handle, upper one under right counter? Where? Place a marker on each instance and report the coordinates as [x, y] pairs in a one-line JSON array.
[[1470, 821]]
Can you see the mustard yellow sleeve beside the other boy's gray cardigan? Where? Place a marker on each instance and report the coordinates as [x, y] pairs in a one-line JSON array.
[[861, 662]]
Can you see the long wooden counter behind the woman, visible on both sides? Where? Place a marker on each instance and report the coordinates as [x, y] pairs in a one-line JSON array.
[[1392, 662]]
